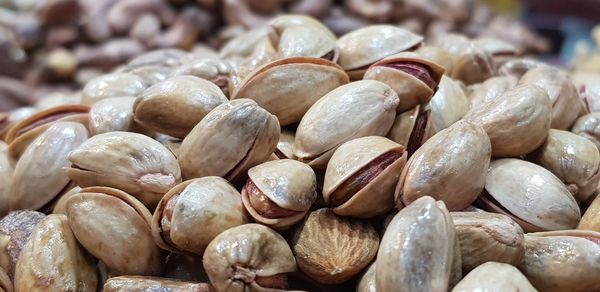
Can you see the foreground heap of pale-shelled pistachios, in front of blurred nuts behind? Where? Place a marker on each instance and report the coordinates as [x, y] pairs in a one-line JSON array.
[[296, 160]]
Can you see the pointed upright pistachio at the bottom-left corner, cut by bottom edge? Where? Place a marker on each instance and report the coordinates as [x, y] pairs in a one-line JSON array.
[[53, 260]]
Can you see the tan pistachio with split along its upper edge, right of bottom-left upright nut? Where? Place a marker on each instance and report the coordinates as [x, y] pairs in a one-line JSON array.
[[115, 227]]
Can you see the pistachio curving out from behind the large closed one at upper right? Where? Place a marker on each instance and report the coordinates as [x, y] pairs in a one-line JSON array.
[[563, 95]]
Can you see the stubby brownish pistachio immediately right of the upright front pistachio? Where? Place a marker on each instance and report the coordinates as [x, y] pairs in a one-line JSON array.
[[488, 237]]
